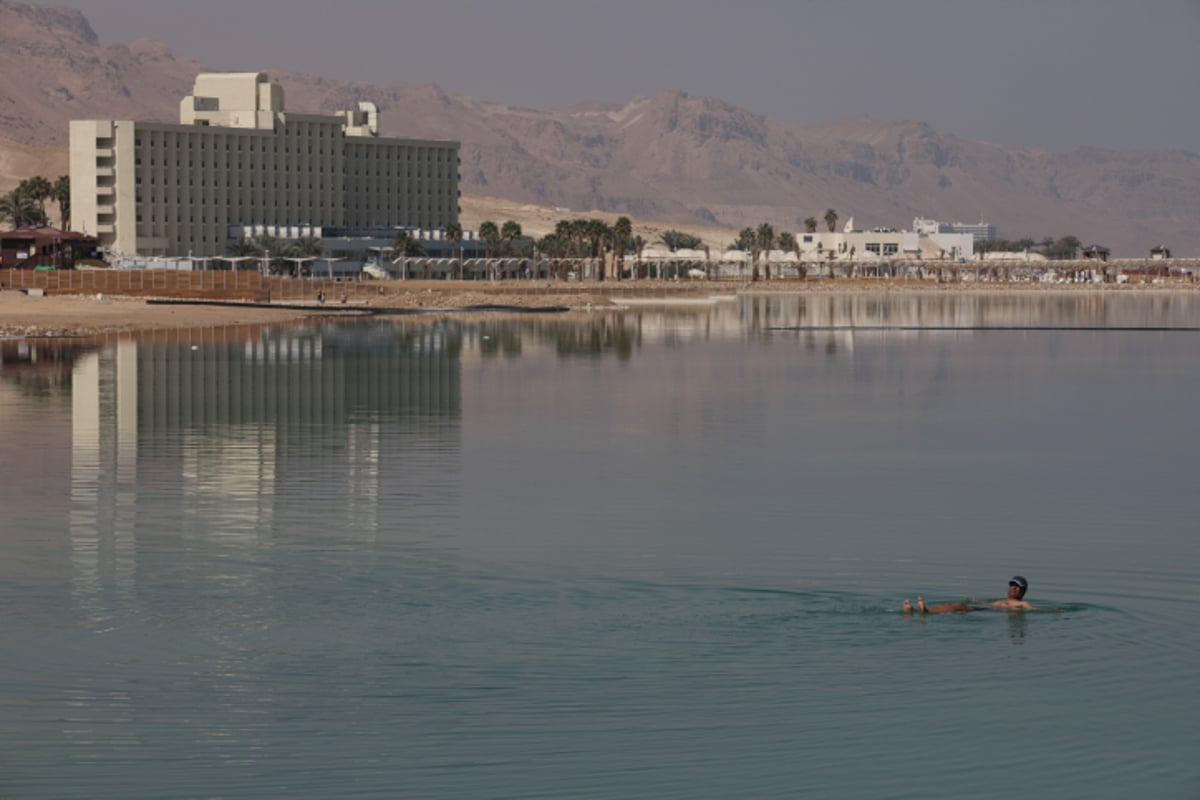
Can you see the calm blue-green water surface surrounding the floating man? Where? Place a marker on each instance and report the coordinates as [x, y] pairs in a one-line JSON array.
[[658, 555]]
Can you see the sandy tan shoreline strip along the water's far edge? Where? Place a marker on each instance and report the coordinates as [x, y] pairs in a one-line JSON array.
[[63, 315]]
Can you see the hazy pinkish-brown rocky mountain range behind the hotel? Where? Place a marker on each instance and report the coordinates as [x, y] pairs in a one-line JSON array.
[[670, 158]]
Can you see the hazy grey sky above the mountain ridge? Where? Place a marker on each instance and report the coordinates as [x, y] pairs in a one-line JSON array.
[[1045, 74]]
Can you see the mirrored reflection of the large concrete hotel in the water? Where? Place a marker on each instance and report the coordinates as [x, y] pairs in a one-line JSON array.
[[236, 430]]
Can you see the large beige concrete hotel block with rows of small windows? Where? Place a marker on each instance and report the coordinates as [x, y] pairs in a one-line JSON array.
[[239, 164]]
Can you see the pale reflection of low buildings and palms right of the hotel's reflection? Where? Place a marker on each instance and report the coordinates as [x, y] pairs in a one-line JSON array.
[[823, 322]]
